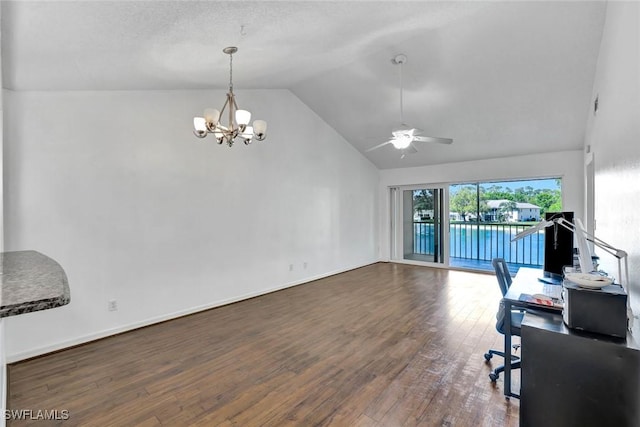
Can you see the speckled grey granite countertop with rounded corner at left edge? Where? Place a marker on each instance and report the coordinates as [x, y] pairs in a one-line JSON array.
[[31, 282]]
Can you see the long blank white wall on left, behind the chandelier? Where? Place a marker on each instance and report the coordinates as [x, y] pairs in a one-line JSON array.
[[115, 187]]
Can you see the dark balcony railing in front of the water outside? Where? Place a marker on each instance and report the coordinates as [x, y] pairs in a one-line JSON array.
[[483, 242]]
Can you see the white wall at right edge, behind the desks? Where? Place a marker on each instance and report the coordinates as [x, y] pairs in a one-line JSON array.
[[613, 136]]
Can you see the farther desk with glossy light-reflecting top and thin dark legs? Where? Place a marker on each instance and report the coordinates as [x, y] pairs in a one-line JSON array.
[[525, 282]]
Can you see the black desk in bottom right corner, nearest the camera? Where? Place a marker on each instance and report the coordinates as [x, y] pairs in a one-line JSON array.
[[573, 378]]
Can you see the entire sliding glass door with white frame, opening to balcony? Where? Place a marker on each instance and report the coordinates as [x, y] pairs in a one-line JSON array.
[[466, 225]]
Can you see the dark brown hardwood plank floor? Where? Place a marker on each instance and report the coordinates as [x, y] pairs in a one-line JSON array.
[[384, 345]]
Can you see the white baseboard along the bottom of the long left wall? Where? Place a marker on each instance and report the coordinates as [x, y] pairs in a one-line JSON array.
[[13, 358]]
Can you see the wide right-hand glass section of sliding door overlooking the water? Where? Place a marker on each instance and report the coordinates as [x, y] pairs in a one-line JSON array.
[[484, 217]]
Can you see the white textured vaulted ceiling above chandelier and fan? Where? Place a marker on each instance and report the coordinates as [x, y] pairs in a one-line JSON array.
[[500, 78]]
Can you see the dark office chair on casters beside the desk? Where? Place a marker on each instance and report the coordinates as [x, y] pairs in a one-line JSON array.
[[504, 281]]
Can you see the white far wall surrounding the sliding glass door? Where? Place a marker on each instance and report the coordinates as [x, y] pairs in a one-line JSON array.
[[565, 164]]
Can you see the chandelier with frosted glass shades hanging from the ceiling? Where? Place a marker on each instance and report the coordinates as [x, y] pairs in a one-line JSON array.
[[237, 126]]
